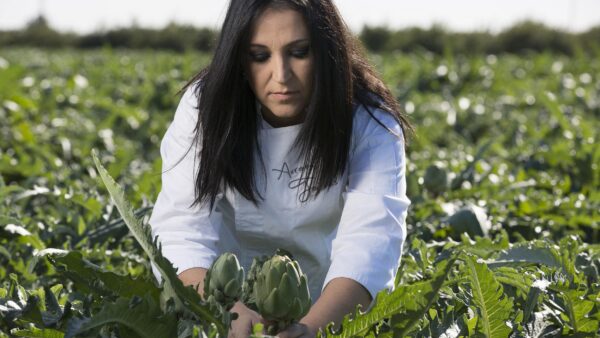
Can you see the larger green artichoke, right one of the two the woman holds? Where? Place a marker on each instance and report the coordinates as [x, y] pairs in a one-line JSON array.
[[281, 292]]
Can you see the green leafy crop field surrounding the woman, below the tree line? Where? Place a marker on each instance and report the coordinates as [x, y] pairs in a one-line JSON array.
[[503, 174]]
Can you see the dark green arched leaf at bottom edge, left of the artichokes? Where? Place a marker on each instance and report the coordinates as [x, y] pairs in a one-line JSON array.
[[141, 315]]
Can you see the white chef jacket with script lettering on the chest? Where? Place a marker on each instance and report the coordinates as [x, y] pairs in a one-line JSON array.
[[356, 229]]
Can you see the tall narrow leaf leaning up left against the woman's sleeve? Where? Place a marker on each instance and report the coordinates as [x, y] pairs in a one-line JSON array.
[[184, 297]]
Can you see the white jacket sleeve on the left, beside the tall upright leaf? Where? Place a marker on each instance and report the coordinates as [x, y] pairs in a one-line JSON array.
[[187, 235]]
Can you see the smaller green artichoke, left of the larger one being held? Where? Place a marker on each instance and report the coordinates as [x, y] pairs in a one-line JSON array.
[[223, 281]]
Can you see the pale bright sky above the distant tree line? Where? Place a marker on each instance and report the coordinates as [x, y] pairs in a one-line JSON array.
[[460, 15]]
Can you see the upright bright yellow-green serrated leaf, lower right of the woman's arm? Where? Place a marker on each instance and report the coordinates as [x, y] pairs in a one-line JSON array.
[[494, 307]]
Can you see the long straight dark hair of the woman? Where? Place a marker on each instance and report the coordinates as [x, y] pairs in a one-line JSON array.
[[227, 122]]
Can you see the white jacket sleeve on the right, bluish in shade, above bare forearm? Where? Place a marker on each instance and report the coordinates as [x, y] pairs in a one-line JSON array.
[[368, 244]]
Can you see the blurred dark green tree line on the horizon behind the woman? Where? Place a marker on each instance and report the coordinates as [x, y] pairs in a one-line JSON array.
[[521, 38]]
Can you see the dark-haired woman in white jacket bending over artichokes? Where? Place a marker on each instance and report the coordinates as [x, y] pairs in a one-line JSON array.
[[288, 139]]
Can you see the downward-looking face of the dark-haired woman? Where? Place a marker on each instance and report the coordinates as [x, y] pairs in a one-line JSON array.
[[280, 60]]
